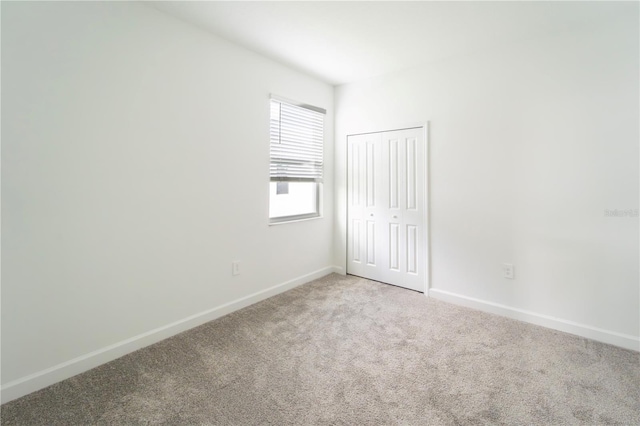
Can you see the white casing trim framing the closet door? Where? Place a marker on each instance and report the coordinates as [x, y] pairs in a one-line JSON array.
[[426, 239]]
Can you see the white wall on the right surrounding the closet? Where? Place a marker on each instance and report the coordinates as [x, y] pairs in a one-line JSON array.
[[529, 144]]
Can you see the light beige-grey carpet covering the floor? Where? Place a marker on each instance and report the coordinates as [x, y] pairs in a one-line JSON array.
[[344, 350]]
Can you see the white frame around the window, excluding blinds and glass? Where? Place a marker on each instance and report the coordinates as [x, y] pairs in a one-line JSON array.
[[317, 214]]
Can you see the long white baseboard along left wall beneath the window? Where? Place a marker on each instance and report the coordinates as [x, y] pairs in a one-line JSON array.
[[44, 378]]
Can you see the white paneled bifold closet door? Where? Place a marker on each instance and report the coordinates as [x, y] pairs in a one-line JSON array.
[[386, 207]]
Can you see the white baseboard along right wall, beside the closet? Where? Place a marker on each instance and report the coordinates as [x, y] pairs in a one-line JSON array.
[[606, 336]]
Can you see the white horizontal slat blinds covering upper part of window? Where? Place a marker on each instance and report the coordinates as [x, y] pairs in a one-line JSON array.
[[297, 136]]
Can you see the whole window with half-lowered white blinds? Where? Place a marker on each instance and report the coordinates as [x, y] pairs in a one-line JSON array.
[[297, 140]]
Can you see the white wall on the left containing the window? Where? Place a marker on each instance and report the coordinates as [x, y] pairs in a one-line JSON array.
[[135, 158]]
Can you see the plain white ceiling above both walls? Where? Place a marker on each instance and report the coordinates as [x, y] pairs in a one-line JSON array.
[[341, 42]]
